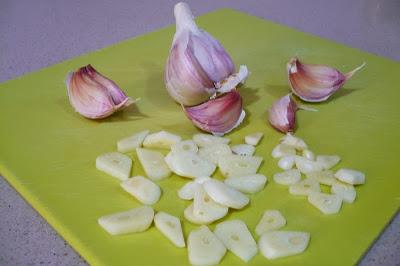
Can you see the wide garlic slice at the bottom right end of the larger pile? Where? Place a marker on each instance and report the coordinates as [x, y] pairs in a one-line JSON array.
[[278, 244]]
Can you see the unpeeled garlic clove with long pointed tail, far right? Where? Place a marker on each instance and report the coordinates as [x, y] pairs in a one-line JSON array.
[[315, 83]]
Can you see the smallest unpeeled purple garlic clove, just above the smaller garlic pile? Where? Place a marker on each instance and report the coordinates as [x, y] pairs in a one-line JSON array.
[[282, 114]]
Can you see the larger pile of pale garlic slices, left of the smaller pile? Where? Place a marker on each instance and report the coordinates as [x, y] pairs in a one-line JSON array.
[[198, 158]]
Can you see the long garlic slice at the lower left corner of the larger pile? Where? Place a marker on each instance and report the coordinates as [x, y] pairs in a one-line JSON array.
[[132, 221]]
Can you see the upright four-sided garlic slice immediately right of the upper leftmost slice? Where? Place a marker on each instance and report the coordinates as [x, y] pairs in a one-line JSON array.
[[153, 164]]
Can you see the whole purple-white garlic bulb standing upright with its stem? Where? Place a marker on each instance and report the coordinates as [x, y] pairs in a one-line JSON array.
[[197, 65]]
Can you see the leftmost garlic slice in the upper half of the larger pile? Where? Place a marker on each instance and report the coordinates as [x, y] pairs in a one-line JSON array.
[[115, 164]]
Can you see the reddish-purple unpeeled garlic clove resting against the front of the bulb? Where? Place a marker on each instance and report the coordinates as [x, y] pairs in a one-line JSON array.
[[218, 116]]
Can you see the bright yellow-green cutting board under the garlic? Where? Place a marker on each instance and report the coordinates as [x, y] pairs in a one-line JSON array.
[[47, 151]]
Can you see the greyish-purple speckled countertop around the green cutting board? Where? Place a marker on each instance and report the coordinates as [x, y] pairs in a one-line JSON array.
[[36, 34]]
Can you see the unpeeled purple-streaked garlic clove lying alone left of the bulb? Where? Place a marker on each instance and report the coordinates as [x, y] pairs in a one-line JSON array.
[[93, 95]]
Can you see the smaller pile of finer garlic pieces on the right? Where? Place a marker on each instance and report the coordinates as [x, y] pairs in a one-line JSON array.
[[296, 159]]
